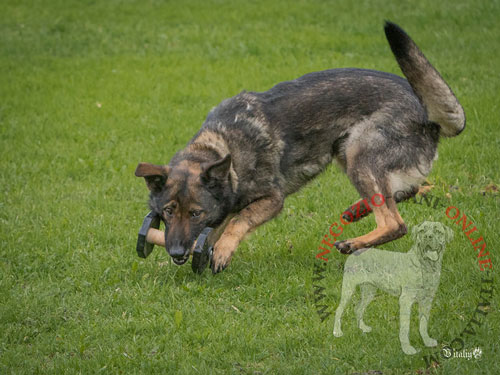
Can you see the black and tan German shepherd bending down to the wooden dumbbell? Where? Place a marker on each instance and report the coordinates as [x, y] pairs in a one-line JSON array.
[[256, 148]]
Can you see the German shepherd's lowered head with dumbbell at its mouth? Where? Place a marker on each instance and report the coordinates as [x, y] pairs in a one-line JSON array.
[[188, 195]]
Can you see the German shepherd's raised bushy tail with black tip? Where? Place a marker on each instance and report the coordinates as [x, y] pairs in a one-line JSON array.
[[441, 104]]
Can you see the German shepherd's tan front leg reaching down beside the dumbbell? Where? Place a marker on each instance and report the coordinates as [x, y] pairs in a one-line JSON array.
[[253, 215]]
